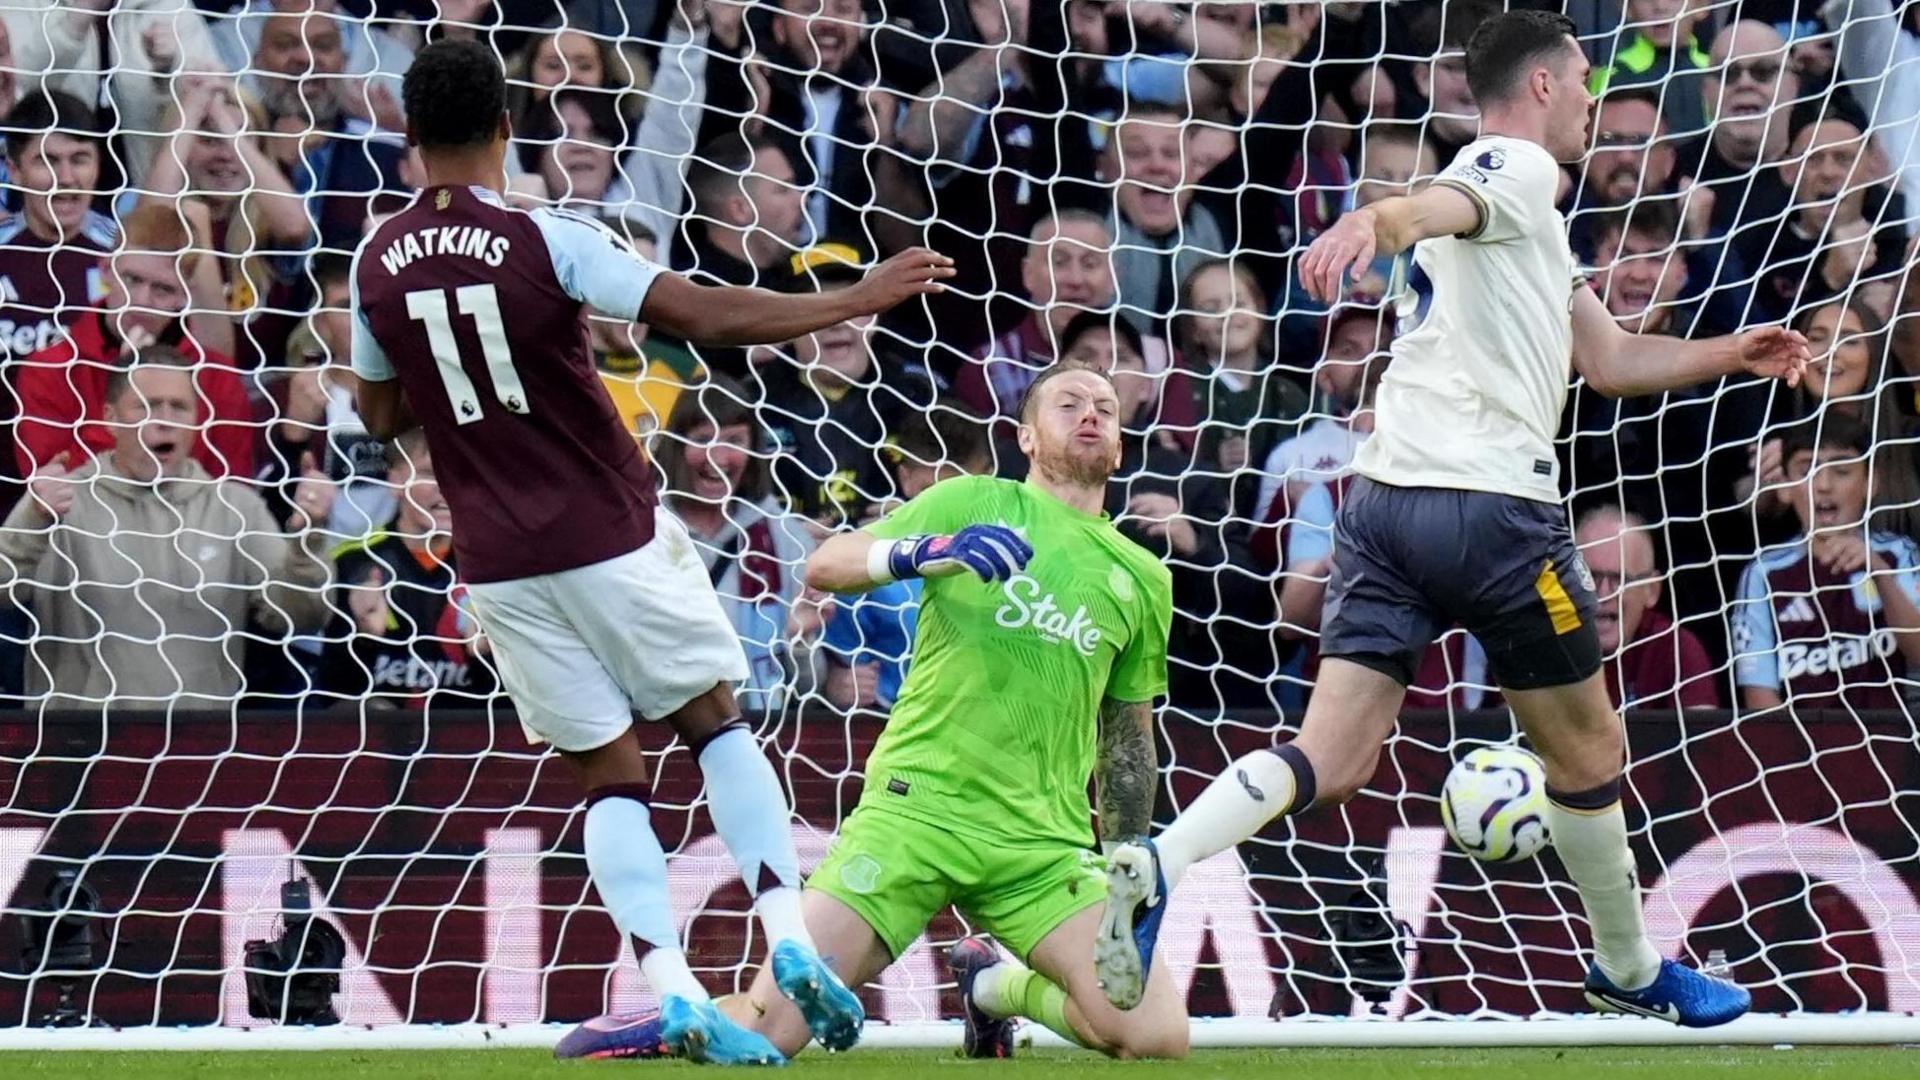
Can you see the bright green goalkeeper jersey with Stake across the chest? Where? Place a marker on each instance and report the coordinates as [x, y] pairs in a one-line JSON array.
[[994, 733]]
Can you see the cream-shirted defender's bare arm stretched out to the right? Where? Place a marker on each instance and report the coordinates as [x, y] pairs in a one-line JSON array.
[[1623, 366]]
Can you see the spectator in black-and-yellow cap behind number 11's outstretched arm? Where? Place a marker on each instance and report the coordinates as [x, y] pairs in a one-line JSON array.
[[832, 401]]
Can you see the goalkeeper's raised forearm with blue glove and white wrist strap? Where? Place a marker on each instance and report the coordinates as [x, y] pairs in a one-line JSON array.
[[859, 562]]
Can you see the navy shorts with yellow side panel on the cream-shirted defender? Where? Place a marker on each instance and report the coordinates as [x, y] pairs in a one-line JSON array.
[[1408, 564]]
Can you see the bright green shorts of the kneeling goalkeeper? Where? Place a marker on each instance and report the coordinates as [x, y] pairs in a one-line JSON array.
[[898, 873]]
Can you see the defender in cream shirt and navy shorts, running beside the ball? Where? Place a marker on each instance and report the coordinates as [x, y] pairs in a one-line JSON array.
[[1458, 518]]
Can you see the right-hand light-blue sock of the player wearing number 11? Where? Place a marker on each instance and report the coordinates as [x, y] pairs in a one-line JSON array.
[[752, 818]]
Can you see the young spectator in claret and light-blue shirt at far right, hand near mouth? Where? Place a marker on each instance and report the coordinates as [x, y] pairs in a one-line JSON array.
[[1833, 620]]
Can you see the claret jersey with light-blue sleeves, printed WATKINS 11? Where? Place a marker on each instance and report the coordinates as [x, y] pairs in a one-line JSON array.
[[477, 310]]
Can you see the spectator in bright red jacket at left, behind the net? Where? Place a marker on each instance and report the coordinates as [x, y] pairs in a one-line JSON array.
[[62, 389]]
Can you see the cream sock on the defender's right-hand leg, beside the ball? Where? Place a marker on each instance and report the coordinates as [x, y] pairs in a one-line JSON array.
[[1593, 847]]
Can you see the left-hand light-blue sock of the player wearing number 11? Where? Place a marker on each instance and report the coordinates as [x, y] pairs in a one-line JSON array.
[[629, 870]]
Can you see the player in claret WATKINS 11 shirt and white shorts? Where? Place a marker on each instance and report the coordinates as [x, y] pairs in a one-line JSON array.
[[468, 322]]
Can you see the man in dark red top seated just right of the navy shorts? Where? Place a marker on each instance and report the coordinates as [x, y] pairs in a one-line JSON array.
[[1650, 660]]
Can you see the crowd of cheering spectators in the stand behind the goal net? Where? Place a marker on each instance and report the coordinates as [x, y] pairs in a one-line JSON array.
[[199, 516]]
